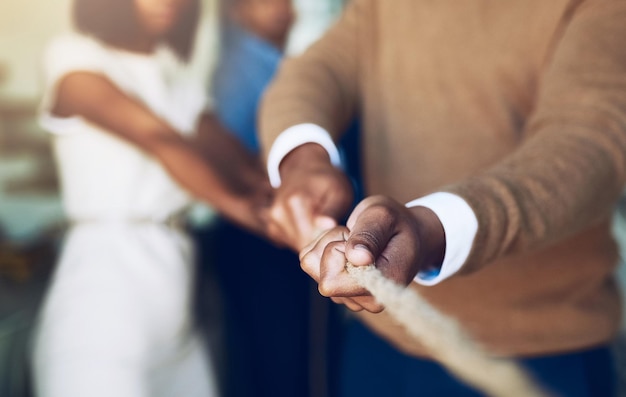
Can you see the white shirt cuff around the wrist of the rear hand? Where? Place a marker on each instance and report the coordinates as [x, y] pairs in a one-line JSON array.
[[296, 136]]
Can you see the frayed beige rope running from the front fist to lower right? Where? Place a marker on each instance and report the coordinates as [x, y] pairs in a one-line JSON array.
[[445, 340]]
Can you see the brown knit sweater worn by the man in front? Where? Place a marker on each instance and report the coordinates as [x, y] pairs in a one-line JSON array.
[[519, 107]]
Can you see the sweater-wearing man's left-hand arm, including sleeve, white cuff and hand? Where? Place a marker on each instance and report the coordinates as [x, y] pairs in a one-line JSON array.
[[314, 97]]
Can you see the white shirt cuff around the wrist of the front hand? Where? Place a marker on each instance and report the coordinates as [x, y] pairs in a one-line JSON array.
[[460, 226]]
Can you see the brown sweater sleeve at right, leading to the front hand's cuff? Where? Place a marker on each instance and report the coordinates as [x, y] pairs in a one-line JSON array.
[[571, 168]]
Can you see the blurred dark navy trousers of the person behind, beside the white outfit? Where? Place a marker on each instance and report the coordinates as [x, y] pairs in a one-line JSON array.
[[266, 302]]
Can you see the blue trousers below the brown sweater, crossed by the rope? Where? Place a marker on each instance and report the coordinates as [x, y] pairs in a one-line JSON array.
[[371, 367]]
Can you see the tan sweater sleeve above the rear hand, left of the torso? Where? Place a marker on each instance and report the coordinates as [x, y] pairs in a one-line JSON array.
[[319, 87]]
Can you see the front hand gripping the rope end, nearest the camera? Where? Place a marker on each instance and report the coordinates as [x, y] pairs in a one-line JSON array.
[[380, 231]]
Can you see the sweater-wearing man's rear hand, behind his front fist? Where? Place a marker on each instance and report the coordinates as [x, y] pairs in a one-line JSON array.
[[312, 196]]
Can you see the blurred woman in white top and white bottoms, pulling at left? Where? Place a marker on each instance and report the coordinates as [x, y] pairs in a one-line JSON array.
[[135, 144]]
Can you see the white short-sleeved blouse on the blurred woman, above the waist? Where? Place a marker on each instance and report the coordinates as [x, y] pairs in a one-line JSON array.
[[104, 177]]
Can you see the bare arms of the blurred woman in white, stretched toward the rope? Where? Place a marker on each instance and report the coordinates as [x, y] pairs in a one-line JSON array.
[[239, 196]]
